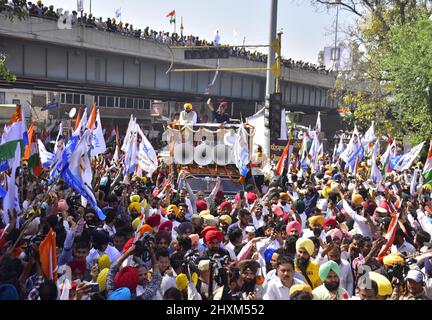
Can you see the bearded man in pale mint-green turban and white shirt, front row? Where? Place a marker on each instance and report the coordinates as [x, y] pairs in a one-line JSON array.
[[330, 289]]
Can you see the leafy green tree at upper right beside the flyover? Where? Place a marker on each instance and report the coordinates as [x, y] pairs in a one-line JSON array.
[[378, 87]]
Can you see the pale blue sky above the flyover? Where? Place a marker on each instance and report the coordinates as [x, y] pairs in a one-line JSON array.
[[306, 28]]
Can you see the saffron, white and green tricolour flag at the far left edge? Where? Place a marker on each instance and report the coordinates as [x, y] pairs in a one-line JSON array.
[[15, 132]]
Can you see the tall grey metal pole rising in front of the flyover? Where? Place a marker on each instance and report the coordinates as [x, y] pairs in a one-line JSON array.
[[270, 84]]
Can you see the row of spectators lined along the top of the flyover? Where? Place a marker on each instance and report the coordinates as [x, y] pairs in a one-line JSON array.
[[112, 25]]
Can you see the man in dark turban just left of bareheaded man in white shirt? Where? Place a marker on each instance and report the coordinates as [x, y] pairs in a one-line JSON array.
[[250, 289]]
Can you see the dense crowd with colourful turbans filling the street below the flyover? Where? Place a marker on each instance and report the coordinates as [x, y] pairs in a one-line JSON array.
[[301, 235]]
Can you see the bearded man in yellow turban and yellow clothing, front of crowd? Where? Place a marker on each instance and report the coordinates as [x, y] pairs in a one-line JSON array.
[[304, 264]]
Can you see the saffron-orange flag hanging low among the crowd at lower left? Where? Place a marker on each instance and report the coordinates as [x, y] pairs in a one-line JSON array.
[[48, 256]]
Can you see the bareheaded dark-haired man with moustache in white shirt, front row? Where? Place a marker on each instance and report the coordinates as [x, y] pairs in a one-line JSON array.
[[279, 287]]
